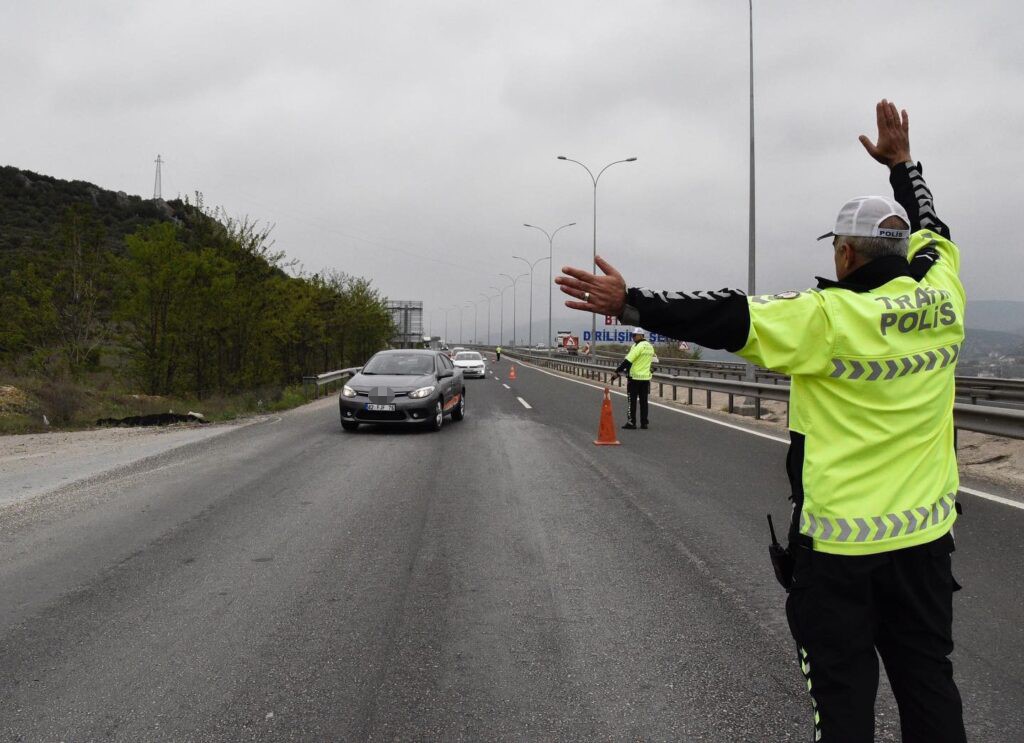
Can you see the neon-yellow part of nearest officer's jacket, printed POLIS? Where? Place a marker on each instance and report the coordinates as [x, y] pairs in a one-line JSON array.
[[873, 386]]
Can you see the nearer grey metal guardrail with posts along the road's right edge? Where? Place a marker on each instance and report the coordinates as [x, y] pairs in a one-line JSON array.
[[980, 419]]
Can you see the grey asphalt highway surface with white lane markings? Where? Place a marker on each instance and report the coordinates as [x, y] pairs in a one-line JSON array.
[[503, 580]]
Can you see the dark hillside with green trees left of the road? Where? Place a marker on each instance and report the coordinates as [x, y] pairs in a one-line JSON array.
[[164, 299]]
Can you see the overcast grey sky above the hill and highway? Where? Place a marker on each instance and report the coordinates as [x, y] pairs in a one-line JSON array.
[[409, 142]]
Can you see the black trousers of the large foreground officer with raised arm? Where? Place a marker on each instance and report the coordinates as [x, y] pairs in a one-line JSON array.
[[846, 611]]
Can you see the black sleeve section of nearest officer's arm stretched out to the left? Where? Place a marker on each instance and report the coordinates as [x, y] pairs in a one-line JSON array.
[[713, 320]]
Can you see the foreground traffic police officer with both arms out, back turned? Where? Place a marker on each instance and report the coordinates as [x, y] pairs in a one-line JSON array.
[[872, 462]]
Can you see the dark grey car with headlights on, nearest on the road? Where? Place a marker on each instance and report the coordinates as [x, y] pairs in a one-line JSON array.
[[419, 387]]
